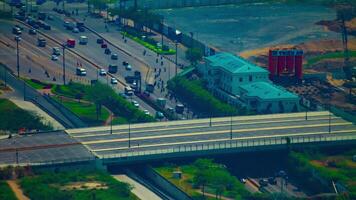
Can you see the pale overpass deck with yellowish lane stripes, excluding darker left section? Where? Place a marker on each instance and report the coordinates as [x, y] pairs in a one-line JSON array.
[[160, 136]]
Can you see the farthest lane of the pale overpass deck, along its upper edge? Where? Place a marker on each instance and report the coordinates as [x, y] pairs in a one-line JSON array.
[[202, 123]]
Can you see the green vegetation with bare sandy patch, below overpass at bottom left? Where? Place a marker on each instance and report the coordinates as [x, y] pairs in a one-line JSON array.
[[57, 186]]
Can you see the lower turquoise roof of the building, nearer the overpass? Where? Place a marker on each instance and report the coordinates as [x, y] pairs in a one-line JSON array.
[[267, 91]]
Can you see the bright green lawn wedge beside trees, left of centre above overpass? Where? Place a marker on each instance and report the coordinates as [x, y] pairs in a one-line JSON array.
[[85, 110]]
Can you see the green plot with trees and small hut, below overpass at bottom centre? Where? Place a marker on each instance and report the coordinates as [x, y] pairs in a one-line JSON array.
[[205, 179]]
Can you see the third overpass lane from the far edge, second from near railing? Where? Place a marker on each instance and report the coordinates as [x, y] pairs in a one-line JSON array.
[[202, 136]]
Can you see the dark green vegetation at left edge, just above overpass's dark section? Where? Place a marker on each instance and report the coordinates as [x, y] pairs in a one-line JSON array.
[[13, 118]]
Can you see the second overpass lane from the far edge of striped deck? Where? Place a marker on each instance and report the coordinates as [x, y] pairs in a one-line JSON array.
[[237, 127]]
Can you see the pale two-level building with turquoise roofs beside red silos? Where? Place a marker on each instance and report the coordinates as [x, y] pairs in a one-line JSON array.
[[242, 83]]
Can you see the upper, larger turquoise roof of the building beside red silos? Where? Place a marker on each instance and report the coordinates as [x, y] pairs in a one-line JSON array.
[[234, 64]]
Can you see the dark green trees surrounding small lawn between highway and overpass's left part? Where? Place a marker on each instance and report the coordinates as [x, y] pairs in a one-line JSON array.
[[99, 98]]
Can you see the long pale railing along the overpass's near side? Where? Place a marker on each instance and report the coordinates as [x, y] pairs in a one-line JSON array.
[[230, 144]]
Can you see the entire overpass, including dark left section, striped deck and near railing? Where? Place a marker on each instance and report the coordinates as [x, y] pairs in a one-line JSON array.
[[138, 141]]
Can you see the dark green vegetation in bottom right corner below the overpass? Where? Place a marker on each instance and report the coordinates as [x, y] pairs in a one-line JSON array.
[[311, 166]]
